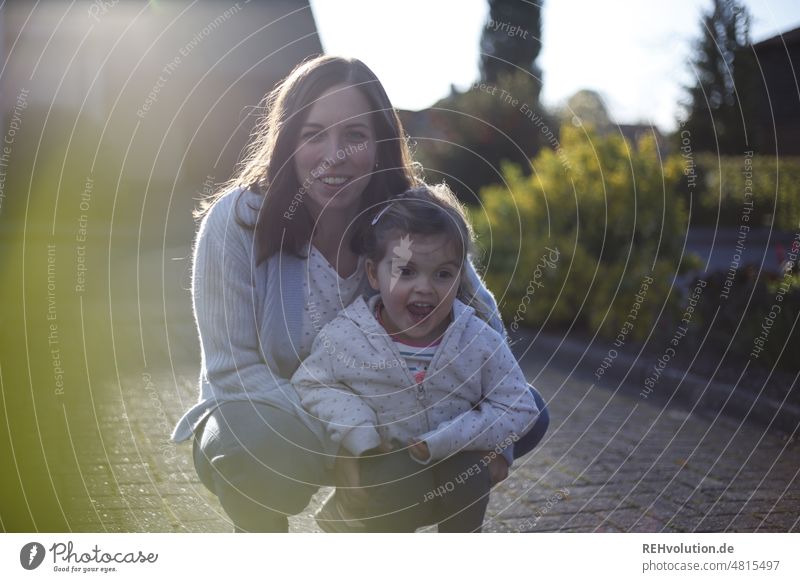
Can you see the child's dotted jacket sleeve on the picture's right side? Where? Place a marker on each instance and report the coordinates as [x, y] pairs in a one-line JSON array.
[[507, 408]]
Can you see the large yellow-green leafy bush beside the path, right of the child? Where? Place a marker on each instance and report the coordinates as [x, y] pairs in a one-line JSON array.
[[609, 212]]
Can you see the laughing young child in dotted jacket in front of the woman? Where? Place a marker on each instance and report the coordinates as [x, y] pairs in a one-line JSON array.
[[411, 383]]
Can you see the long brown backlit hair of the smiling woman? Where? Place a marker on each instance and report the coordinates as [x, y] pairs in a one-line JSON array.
[[268, 167]]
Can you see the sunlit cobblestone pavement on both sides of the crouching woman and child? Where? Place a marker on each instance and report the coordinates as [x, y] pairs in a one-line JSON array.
[[610, 462]]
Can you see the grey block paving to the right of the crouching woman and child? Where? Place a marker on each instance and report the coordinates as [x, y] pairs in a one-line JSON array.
[[624, 464]]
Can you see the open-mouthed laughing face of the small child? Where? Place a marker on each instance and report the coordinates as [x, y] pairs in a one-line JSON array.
[[418, 279]]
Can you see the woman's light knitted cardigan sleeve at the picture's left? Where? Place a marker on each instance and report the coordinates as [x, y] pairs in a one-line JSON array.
[[224, 303]]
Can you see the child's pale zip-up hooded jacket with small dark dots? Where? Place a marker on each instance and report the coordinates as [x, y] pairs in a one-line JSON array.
[[473, 396]]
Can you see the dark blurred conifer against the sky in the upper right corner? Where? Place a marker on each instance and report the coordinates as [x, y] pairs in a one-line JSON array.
[[720, 113]]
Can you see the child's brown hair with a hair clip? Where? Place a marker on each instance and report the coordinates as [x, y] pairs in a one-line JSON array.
[[424, 210]]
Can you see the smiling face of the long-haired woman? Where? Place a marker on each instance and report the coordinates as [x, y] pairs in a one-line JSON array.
[[336, 151]]
